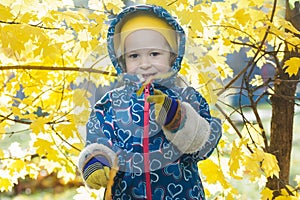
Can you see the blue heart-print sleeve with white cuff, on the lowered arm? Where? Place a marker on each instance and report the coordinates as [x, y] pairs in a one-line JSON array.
[[98, 141]]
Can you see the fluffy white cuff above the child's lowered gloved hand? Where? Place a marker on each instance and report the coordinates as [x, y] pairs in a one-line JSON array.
[[94, 150]]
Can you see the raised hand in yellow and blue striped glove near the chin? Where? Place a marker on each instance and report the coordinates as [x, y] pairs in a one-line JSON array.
[[166, 108]]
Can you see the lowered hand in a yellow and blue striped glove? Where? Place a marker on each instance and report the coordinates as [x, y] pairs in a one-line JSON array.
[[96, 172]]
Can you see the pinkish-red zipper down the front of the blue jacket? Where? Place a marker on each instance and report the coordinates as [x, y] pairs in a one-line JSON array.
[[146, 143]]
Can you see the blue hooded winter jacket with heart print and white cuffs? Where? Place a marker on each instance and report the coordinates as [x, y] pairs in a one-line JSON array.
[[116, 129]]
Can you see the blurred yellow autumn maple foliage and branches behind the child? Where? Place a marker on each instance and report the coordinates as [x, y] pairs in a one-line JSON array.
[[54, 66]]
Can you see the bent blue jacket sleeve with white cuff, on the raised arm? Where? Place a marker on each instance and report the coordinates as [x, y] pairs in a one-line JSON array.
[[199, 133]]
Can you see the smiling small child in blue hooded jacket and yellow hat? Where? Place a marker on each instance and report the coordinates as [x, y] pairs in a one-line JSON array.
[[144, 138]]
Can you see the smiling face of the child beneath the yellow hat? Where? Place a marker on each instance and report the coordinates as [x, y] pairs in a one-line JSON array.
[[147, 53]]
